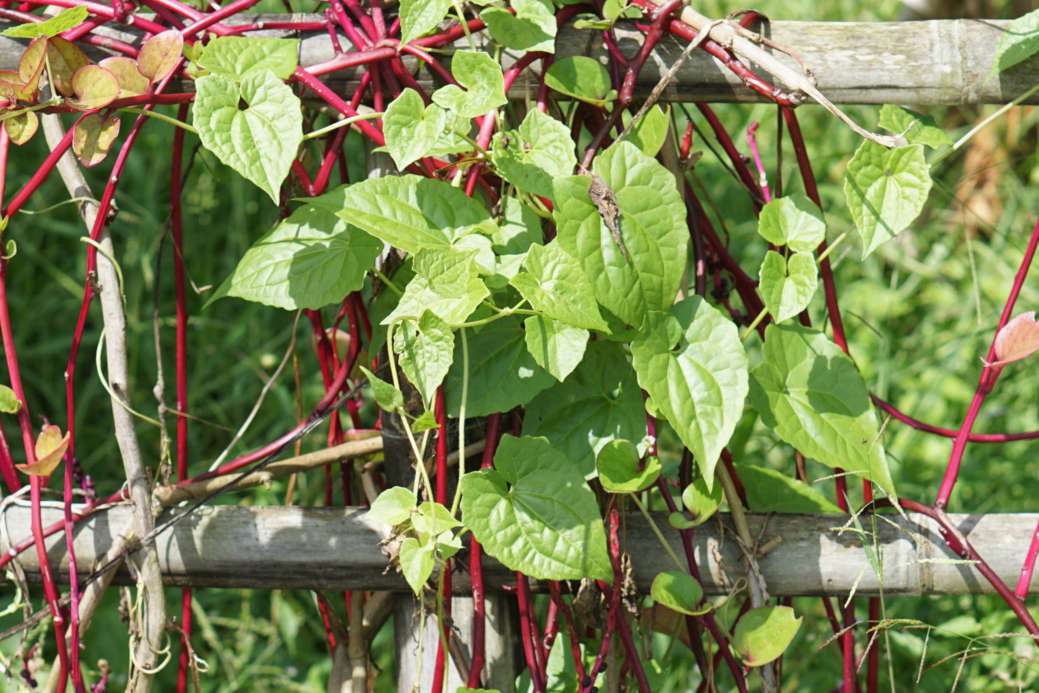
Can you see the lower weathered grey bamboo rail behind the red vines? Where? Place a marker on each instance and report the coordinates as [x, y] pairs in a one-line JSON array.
[[338, 549]]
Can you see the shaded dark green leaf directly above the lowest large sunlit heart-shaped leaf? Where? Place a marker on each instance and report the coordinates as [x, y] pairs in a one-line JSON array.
[[599, 403]]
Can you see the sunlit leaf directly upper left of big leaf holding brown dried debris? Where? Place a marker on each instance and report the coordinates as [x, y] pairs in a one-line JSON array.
[[537, 154]]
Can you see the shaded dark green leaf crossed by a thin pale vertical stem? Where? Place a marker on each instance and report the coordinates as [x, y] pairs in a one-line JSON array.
[[502, 375]]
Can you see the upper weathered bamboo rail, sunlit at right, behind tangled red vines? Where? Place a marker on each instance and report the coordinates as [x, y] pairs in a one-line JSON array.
[[919, 64]]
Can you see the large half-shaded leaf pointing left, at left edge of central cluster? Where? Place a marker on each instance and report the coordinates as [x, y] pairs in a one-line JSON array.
[[309, 261]]
